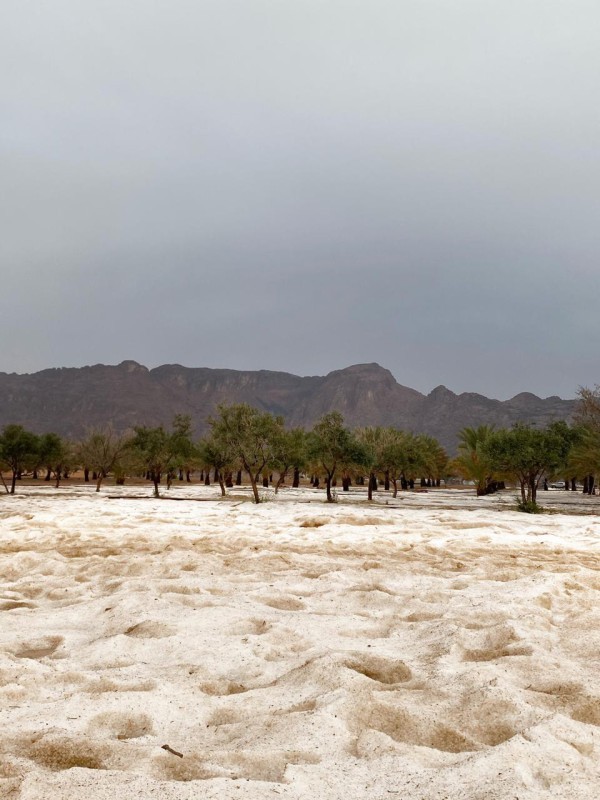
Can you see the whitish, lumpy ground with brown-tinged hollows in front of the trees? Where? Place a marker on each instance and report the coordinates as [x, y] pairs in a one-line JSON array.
[[437, 646]]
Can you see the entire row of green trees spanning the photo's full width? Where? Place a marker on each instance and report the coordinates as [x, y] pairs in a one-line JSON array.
[[243, 439]]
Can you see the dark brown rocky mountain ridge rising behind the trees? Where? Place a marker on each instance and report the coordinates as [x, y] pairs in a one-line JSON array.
[[71, 400]]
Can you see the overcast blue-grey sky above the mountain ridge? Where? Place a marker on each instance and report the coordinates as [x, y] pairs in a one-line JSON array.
[[302, 186]]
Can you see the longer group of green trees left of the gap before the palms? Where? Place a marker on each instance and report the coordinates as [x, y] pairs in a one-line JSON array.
[[241, 439]]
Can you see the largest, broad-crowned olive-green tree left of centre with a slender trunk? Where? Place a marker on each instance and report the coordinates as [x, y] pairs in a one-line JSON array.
[[250, 435]]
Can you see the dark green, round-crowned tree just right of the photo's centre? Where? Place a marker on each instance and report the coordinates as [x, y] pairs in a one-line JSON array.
[[331, 446]]
